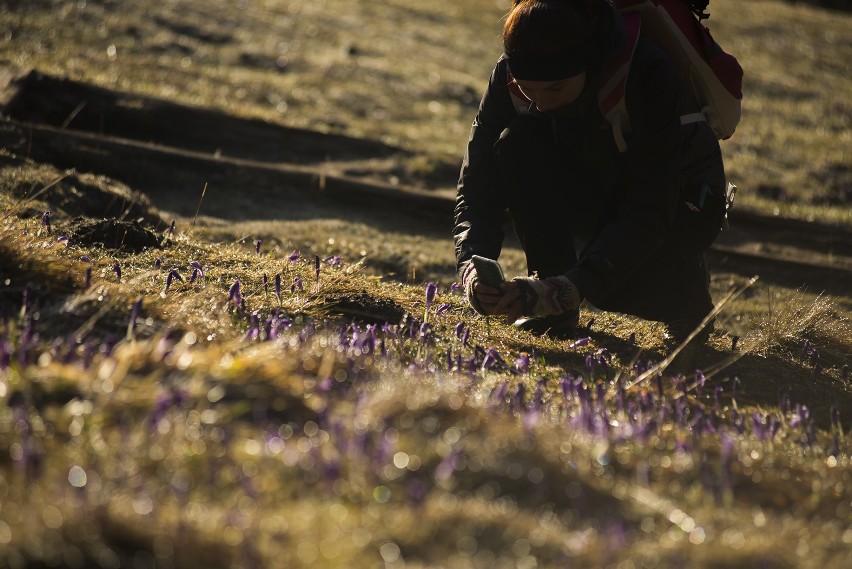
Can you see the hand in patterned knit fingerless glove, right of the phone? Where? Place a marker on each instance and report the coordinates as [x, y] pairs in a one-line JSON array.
[[530, 296]]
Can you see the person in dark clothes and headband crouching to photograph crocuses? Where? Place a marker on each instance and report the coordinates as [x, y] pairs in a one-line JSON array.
[[625, 228]]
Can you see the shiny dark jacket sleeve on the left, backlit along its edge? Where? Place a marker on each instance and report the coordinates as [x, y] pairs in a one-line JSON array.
[[479, 203]]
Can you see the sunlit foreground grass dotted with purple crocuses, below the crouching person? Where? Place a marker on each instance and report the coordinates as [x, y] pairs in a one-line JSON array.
[[301, 440]]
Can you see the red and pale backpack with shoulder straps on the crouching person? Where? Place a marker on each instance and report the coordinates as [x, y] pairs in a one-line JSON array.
[[712, 77]]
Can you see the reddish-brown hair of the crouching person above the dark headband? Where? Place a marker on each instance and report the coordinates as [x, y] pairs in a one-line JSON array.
[[544, 27]]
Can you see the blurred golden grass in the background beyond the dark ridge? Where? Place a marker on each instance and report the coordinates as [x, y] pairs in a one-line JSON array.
[[411, 74]]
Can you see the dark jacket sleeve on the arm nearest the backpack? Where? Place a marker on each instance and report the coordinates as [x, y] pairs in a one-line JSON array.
[[647, 189]]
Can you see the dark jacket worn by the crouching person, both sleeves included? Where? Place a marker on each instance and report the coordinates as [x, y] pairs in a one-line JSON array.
[[630, 198]]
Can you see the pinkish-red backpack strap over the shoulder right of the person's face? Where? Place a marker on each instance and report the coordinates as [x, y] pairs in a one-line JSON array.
[[611, 95]]
